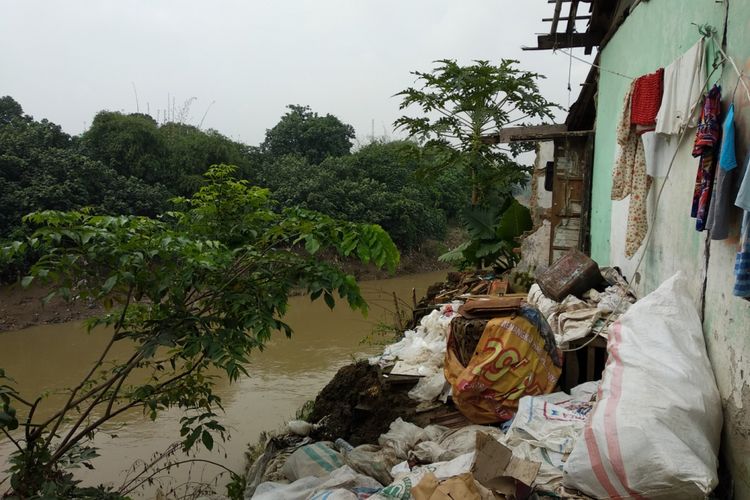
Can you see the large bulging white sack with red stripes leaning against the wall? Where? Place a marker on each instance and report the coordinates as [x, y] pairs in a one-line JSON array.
[[655, 429]]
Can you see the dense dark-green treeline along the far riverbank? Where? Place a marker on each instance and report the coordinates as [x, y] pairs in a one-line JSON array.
[[130, 164]]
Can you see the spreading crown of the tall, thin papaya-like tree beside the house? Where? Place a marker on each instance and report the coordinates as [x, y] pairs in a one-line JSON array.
[[462, 104]]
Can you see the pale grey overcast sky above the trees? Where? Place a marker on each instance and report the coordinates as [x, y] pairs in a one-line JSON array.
[[66, 60]]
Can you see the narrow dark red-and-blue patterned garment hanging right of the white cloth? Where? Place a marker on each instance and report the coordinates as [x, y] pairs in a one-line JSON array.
[[706, 140]]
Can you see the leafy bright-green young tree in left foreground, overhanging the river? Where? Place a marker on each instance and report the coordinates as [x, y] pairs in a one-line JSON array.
[[190, 293]]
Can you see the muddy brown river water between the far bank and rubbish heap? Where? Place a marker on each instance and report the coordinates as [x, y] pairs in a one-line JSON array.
[[288, 373]]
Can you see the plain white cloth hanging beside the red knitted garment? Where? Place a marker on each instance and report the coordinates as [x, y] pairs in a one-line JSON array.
[[684, 81]]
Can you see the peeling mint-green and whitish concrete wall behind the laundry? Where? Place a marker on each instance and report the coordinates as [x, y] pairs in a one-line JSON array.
[[653, 35]]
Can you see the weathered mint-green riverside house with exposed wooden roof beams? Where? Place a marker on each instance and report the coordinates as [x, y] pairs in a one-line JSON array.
[[634, 38]]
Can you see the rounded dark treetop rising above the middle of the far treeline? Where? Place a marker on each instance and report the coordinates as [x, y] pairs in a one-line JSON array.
[[303, 132]]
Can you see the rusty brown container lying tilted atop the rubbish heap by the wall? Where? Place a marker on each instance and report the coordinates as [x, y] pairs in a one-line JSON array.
[[572, 274]]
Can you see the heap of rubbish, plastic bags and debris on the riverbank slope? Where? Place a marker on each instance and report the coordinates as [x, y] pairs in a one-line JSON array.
[[390, 429]]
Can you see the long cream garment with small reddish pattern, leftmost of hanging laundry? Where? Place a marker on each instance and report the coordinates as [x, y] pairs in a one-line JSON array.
[[629, 178]]
